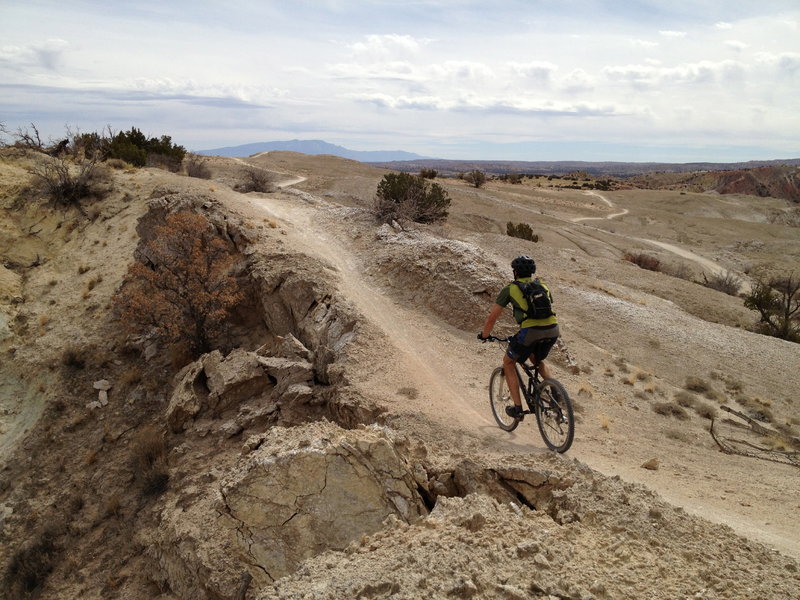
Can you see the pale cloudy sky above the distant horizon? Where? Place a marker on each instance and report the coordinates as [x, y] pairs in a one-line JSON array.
[[633, 80]]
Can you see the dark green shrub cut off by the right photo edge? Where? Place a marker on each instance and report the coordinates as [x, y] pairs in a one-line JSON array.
[[778, 304]]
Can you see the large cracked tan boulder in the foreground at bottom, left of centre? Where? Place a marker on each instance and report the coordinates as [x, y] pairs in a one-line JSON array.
[[294, 493]]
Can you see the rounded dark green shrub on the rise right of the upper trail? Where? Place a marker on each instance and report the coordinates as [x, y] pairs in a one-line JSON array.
[[402, 196]]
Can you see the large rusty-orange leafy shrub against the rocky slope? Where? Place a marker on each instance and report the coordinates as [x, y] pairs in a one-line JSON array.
[[184, 297]]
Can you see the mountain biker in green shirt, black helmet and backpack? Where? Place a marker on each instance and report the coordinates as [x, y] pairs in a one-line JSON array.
[[535, 337]]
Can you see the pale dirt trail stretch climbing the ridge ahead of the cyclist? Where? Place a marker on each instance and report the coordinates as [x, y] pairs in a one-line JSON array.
[[425, 356]]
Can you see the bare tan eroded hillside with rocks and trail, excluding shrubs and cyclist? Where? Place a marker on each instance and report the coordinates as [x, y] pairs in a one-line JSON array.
[[340, 444]]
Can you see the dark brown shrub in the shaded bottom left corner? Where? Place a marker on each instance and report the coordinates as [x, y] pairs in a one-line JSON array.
[[30, 565]]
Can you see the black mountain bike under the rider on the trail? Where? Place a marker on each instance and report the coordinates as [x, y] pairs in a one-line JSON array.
[[546, 398]]
